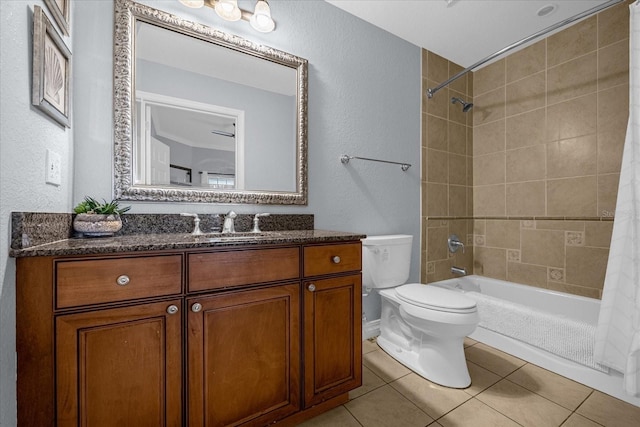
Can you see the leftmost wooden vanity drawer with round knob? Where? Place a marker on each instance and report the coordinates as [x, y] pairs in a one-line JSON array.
[[95, 281]]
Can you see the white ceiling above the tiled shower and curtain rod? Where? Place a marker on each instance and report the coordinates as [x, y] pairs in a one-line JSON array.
[[463, 31]]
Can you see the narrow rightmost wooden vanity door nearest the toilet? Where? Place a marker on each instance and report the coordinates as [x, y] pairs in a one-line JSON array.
[[332, 337]]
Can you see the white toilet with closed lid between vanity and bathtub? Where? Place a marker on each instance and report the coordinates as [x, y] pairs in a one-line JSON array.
[[421, 326]]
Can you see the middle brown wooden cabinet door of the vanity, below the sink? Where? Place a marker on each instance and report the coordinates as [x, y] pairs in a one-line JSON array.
[[243, 352]]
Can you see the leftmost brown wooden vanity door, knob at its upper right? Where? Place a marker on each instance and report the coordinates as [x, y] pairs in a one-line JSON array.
[[120, 366]]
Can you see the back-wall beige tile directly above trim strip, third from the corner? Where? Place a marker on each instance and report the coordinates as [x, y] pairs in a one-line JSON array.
[[574, 197]]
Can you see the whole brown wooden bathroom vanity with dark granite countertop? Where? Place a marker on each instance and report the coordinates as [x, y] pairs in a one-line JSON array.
[[180, 330]]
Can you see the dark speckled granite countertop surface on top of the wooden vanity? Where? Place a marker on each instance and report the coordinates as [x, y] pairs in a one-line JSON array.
[[165, 241]]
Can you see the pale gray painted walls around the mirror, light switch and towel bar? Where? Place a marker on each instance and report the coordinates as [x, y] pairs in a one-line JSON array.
[[364, 100]]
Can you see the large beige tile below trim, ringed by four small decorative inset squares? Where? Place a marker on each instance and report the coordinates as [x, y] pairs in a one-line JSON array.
[[542, 247]]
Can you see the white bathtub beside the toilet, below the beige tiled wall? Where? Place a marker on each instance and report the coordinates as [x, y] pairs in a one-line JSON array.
[[553, 307]]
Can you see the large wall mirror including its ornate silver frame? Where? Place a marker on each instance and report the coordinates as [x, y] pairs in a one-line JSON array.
[[205, 116]]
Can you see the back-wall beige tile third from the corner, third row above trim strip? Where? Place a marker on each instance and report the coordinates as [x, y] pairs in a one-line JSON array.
[[572, 118]]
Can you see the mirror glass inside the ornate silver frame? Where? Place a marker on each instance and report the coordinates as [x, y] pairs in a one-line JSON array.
[[212, 117]]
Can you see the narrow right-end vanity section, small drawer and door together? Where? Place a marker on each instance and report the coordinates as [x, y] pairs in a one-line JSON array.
[[332, 321]]
